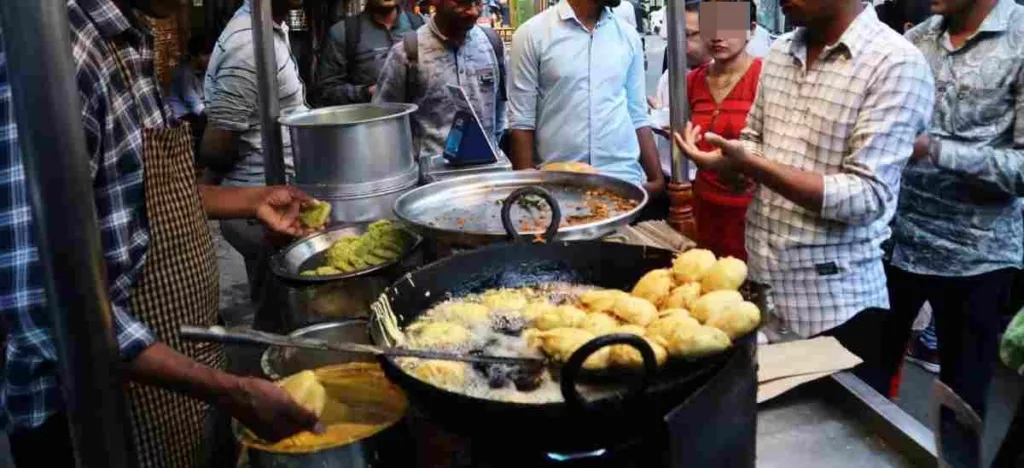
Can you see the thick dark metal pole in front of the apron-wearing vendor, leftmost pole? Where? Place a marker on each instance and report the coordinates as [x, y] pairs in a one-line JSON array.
[[57, 169]]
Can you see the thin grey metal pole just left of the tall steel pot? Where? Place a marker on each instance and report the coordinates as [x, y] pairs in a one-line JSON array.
[[267, 81]]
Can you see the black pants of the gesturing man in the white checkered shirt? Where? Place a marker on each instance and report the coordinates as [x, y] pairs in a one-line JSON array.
[[865, 336]]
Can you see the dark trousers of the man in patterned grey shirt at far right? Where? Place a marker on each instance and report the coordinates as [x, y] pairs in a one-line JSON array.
[[968, 316]]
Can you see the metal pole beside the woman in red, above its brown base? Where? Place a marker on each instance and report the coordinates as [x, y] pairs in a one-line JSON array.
[[678, 103]]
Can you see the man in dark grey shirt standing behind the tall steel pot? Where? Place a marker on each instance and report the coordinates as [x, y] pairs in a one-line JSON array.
[[355, 52]]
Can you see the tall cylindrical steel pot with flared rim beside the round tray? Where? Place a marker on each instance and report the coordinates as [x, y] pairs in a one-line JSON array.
[[359, 158]]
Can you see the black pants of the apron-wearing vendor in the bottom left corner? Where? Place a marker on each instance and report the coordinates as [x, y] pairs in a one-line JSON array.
[[47, 446]]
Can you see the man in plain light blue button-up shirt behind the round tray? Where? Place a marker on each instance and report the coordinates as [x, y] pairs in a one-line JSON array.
[[577, 94]]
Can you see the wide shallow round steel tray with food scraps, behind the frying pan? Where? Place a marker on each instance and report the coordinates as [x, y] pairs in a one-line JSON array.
[[466, 211]]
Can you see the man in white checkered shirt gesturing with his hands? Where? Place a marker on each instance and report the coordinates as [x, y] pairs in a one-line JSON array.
[[840, 104]]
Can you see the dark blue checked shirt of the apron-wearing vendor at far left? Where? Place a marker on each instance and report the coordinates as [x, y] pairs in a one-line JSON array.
[[114, 121]]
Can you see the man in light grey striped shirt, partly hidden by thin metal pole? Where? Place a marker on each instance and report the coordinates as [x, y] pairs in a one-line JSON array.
[[233, 149]]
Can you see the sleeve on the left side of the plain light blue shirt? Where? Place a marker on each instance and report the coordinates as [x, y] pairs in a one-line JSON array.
[[523, 82]]
